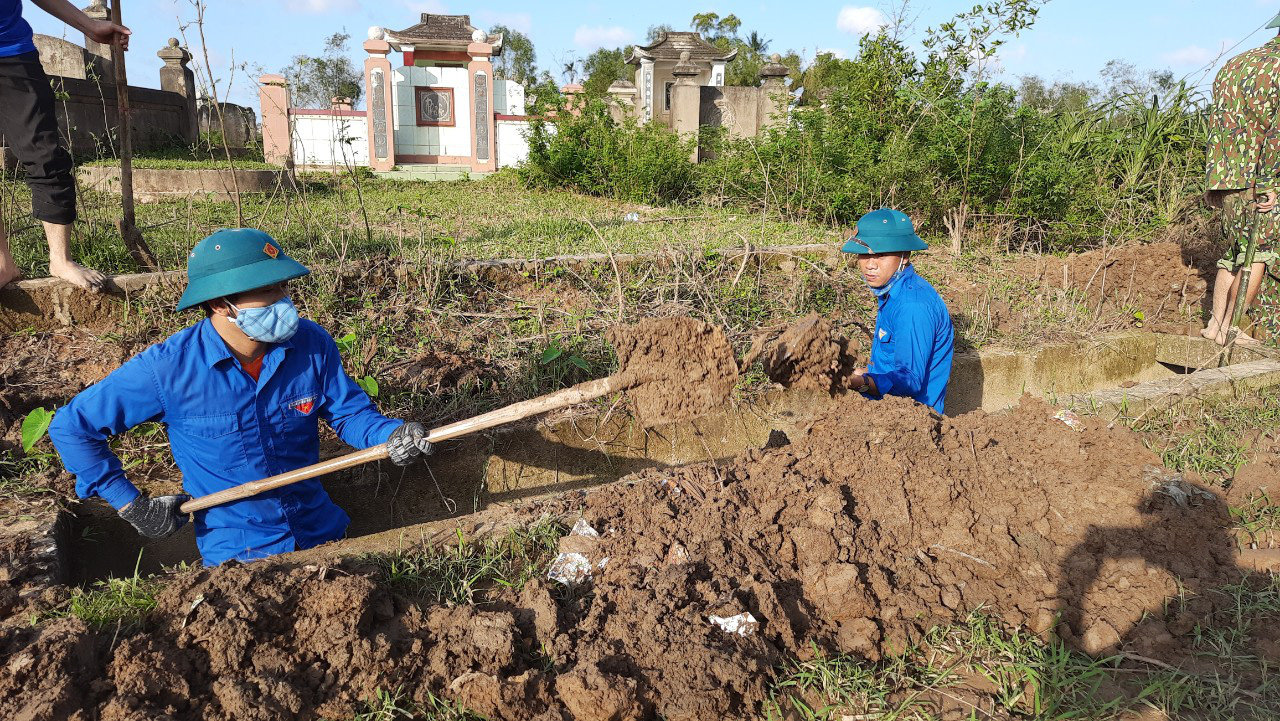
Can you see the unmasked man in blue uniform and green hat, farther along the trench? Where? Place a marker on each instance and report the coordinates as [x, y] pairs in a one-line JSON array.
[[915, 340]]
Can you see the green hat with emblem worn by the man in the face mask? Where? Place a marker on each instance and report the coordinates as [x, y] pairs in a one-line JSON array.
[[234, 262]]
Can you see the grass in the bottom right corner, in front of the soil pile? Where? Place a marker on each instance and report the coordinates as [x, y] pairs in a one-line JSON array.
[[1021, 677]]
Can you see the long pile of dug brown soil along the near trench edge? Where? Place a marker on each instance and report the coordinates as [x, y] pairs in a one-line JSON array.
[[877, 523]]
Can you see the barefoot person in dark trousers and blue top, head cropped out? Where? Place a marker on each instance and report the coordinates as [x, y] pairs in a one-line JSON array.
[[30, 129]]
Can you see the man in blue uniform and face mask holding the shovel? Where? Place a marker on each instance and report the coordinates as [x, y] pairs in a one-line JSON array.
[[243, 394]]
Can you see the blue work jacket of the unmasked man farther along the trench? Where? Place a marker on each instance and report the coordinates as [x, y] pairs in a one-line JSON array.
[[915, 343]]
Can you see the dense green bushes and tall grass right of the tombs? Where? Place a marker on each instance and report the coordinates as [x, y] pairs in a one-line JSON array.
[[931, 135]]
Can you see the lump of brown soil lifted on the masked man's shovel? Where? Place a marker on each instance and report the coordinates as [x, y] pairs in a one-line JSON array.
[[689, 362]]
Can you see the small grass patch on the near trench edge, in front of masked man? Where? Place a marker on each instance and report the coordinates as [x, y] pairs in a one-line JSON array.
[[468, 572]]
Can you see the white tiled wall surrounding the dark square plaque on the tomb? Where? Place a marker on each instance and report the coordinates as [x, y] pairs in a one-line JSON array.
[[418, 142]]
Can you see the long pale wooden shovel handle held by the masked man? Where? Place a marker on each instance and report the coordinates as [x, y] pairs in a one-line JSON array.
[[573, 396]]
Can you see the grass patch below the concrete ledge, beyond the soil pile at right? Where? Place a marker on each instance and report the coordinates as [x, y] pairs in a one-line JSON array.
[[1217, 436]]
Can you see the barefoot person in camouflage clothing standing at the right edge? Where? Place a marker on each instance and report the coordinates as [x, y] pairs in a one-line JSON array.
[[1245, 174]]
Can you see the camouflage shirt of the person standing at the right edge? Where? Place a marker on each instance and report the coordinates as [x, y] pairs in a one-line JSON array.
[[1244, 138]]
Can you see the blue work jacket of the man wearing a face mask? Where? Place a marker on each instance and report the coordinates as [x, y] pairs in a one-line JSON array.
[[226, 430]]
